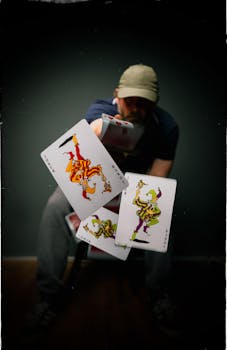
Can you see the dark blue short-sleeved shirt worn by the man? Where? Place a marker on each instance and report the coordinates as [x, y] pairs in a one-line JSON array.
[[158, 141]]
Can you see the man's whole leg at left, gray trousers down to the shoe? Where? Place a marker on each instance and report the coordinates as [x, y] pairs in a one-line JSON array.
[[53, 248]]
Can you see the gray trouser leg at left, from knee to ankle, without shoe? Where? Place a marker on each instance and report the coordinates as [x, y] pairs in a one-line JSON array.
[[53, 246]]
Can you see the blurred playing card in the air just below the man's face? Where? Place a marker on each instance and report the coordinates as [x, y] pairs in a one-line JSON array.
[[120, 134]]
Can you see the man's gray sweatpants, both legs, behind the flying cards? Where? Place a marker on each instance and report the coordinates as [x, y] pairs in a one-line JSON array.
[[54, 242]]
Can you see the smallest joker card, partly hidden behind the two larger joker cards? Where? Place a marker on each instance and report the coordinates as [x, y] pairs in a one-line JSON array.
[[99, 230]]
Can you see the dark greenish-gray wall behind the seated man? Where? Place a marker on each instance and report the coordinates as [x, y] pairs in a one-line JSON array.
[[58, 58]]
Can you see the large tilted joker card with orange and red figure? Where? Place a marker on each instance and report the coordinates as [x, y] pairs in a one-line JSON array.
[[83, 169]]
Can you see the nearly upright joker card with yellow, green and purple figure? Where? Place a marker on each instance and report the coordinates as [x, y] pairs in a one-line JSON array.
[[146, 212]]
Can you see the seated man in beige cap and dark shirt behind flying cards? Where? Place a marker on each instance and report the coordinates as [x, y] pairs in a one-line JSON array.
[[135, 100]]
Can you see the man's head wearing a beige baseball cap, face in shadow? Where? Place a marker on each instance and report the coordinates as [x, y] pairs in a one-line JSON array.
[[137, 92]]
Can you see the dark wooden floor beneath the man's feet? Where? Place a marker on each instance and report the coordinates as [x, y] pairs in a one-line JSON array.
[[109, 310]]
